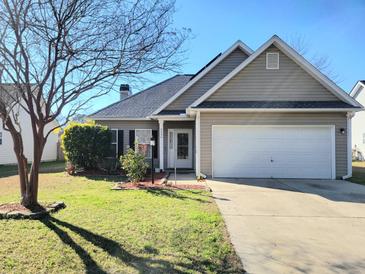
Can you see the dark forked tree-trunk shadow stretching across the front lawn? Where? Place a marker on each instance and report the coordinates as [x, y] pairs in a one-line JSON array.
[[113, 248]]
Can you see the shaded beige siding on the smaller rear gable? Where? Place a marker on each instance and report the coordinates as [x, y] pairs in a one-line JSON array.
[[208, 80]]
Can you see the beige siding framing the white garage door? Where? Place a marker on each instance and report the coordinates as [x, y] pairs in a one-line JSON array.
[[209, 119]]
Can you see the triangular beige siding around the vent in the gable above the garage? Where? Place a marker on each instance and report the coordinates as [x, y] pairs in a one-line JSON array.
[[288, 83]]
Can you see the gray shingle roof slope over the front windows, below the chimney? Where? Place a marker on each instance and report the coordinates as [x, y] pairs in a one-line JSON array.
[[144, 103]]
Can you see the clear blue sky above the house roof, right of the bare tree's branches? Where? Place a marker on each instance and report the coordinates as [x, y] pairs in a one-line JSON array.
[[331, 28]]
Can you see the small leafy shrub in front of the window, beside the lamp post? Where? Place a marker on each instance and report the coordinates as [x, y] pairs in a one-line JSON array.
[[134, 165]]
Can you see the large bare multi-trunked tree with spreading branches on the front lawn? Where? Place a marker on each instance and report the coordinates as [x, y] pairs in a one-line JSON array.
[[58, 55]]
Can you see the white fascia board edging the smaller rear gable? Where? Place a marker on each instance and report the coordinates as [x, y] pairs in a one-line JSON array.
[[238, 44]]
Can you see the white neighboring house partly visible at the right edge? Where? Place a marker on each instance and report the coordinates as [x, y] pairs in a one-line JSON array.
[[358, 123]]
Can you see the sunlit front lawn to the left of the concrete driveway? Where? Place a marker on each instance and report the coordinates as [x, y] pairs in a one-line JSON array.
[[104, 231]]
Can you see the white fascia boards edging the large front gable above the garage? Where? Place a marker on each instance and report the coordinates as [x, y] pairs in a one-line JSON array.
[[308, 67]]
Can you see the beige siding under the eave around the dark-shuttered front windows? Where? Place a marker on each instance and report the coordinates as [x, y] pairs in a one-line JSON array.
[[126, 126]]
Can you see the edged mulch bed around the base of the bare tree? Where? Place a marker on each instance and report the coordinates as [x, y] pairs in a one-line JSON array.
[[17, 211]]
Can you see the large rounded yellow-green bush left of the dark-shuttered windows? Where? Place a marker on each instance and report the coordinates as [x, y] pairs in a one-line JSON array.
[[85, 145]]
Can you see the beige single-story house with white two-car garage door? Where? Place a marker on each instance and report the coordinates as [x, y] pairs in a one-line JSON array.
[[261, 114]]
